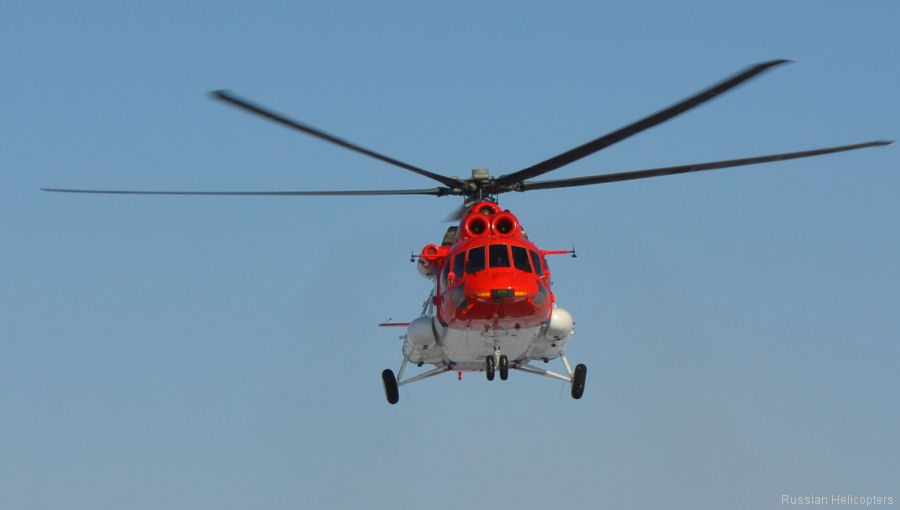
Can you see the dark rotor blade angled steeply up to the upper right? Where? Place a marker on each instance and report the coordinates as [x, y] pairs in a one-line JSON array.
[[635, 127]]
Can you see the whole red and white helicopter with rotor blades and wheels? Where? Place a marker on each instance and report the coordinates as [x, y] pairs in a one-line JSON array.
[[491, 308]]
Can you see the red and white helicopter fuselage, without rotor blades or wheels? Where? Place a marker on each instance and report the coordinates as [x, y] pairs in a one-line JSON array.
[[492, 294]]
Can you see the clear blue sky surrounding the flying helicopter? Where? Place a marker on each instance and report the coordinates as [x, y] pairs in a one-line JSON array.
[[741, 328]]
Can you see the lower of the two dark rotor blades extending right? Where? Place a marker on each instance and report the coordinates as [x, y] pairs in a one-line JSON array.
[[696, 167]]
